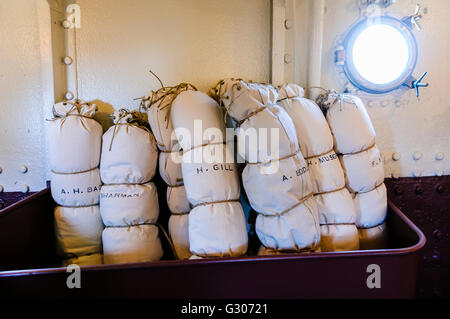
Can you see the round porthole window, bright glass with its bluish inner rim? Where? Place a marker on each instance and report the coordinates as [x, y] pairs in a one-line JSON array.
[[380, 54]]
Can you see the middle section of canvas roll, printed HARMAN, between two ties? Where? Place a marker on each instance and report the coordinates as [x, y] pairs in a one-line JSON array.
[[128, 205]]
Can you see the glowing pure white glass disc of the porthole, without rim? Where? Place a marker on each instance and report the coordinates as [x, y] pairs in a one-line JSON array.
[[380, 54]]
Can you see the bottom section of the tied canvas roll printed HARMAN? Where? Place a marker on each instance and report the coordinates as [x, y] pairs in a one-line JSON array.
[[131, 244]]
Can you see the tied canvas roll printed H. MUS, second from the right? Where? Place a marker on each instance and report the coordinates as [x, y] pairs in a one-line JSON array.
[[334, 203]]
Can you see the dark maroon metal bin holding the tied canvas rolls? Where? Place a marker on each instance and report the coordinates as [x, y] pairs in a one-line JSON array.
[[28, 267]]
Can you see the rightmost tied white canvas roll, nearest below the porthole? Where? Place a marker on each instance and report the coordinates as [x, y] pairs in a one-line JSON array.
[[362, 162]]
